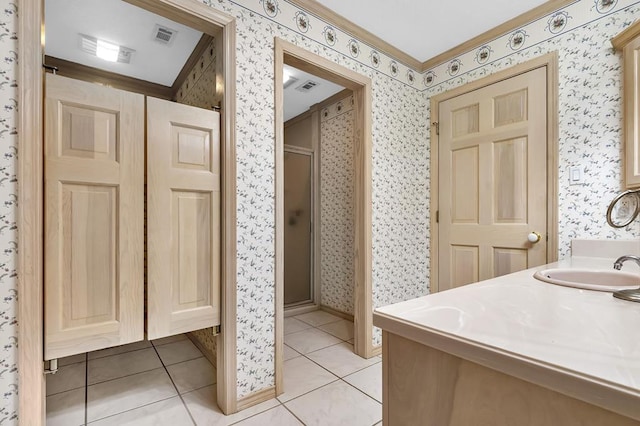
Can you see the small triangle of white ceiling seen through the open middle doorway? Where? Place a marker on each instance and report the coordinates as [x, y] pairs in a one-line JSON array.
[[296, 102]]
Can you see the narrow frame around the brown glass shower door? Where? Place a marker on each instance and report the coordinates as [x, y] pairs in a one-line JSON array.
[[315, 224]]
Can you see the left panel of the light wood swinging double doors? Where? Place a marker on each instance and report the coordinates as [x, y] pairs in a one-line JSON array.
[[94, 224]]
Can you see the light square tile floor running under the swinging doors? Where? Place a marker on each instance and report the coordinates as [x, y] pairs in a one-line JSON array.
[[169, 382]]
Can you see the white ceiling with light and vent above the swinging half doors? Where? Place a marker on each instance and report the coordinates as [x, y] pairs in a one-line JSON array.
[[120, 23]]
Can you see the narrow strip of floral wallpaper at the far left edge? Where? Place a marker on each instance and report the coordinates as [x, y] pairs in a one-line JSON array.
[[8, 195]]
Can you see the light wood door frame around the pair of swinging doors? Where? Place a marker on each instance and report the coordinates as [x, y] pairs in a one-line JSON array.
[[31, 379]]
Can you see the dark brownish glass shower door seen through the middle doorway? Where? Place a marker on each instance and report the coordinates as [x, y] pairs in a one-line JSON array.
[[298, 210]]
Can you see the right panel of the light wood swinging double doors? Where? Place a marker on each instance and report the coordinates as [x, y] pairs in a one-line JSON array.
[[183, 218]]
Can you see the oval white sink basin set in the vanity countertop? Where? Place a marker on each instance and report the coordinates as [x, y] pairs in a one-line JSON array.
[[590, 279]]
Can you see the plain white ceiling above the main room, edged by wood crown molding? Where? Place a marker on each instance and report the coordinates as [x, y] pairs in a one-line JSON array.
[[424, 29]]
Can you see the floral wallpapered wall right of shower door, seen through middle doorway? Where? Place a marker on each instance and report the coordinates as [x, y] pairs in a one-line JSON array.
[[336, 206]]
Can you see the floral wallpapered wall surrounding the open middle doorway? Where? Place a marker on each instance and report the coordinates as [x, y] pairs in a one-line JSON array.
[[399, 124]]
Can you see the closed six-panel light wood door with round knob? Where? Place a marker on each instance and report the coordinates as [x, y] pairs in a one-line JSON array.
[[493, 188]]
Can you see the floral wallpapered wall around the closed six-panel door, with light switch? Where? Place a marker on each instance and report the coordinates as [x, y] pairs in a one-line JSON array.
[[590, 104]]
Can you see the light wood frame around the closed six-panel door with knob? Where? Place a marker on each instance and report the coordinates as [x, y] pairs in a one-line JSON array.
[[548, 61]]
